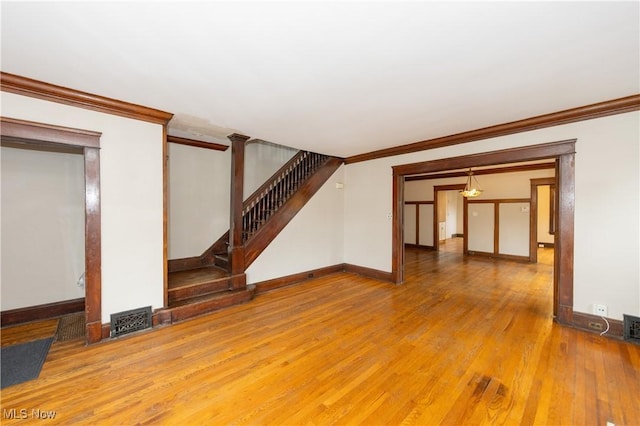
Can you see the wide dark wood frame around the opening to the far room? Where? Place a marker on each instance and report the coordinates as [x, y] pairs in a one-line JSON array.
[[564, 153]]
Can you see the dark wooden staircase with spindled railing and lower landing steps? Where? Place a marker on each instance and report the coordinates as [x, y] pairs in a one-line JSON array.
[[203, 284]]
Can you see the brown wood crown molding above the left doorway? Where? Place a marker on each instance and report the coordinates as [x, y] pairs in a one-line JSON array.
[[37, 89]]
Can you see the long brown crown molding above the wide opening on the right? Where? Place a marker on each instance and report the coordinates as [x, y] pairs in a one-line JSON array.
[[588, 112]]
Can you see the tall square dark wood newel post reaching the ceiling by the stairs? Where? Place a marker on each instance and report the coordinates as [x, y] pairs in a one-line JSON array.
[[236, 245]]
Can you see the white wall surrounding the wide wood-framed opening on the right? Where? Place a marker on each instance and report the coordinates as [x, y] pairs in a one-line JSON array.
[[606, 239]]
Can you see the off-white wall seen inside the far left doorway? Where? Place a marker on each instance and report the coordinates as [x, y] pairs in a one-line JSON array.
[[42, 226]]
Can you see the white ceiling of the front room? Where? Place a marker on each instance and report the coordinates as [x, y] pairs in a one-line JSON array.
[[336, 77]]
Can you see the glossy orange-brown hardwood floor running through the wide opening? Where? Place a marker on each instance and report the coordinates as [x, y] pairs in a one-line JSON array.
[[463, 341]]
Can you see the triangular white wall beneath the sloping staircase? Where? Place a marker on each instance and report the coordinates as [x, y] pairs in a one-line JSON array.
[[313, 239]]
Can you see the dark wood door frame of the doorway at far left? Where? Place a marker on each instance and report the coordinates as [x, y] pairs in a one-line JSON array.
[[39, 134]]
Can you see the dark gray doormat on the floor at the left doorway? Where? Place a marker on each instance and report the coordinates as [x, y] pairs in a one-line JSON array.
[[21, 363]]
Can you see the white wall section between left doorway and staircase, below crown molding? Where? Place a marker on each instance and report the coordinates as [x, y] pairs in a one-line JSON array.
[[131, 198]]
